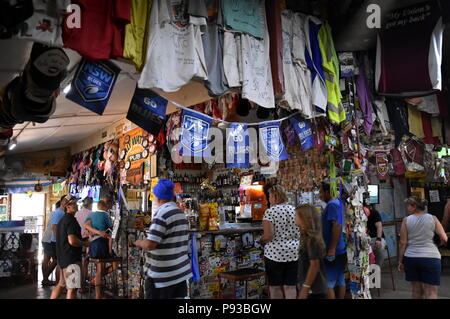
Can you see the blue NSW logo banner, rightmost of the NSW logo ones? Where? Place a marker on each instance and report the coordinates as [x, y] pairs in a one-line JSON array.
[[270, 135]]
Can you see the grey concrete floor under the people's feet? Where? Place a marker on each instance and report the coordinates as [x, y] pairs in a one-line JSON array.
[[402, 288]]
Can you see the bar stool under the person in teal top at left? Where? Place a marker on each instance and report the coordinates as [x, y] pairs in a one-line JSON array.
[[106, 261]]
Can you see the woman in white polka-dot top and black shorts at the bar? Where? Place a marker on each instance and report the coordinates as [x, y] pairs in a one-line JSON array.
[[282, 236]]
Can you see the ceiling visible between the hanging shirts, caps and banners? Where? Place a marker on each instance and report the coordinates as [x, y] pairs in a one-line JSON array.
[[72, 123]]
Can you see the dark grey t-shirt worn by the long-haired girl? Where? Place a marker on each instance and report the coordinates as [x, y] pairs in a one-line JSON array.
[[319, 287]]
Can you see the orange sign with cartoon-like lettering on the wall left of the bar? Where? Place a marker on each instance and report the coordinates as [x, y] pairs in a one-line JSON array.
[[133, 152]]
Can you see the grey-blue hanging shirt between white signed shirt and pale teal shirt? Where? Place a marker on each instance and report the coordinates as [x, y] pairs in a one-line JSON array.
[[213, 47]]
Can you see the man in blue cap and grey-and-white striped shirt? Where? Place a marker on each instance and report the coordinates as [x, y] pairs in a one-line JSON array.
[[167, 266]]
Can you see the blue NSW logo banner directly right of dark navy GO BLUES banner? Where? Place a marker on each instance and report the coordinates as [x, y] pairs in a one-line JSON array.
[[195, 129]]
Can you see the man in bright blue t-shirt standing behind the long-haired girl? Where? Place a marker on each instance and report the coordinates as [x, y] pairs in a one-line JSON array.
[[333, 221]]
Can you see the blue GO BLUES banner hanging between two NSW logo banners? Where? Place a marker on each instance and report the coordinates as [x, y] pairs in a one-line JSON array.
[[238, 146]]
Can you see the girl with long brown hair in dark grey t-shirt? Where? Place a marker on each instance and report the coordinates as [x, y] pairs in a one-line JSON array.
[[312, 278]]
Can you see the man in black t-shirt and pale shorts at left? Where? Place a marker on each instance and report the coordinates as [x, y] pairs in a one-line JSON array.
[[68, 251]]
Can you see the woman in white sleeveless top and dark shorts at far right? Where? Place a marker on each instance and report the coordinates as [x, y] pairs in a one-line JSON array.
[[420, 258]]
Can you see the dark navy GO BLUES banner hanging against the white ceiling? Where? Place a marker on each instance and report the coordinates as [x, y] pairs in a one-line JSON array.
[[147, 110]]
